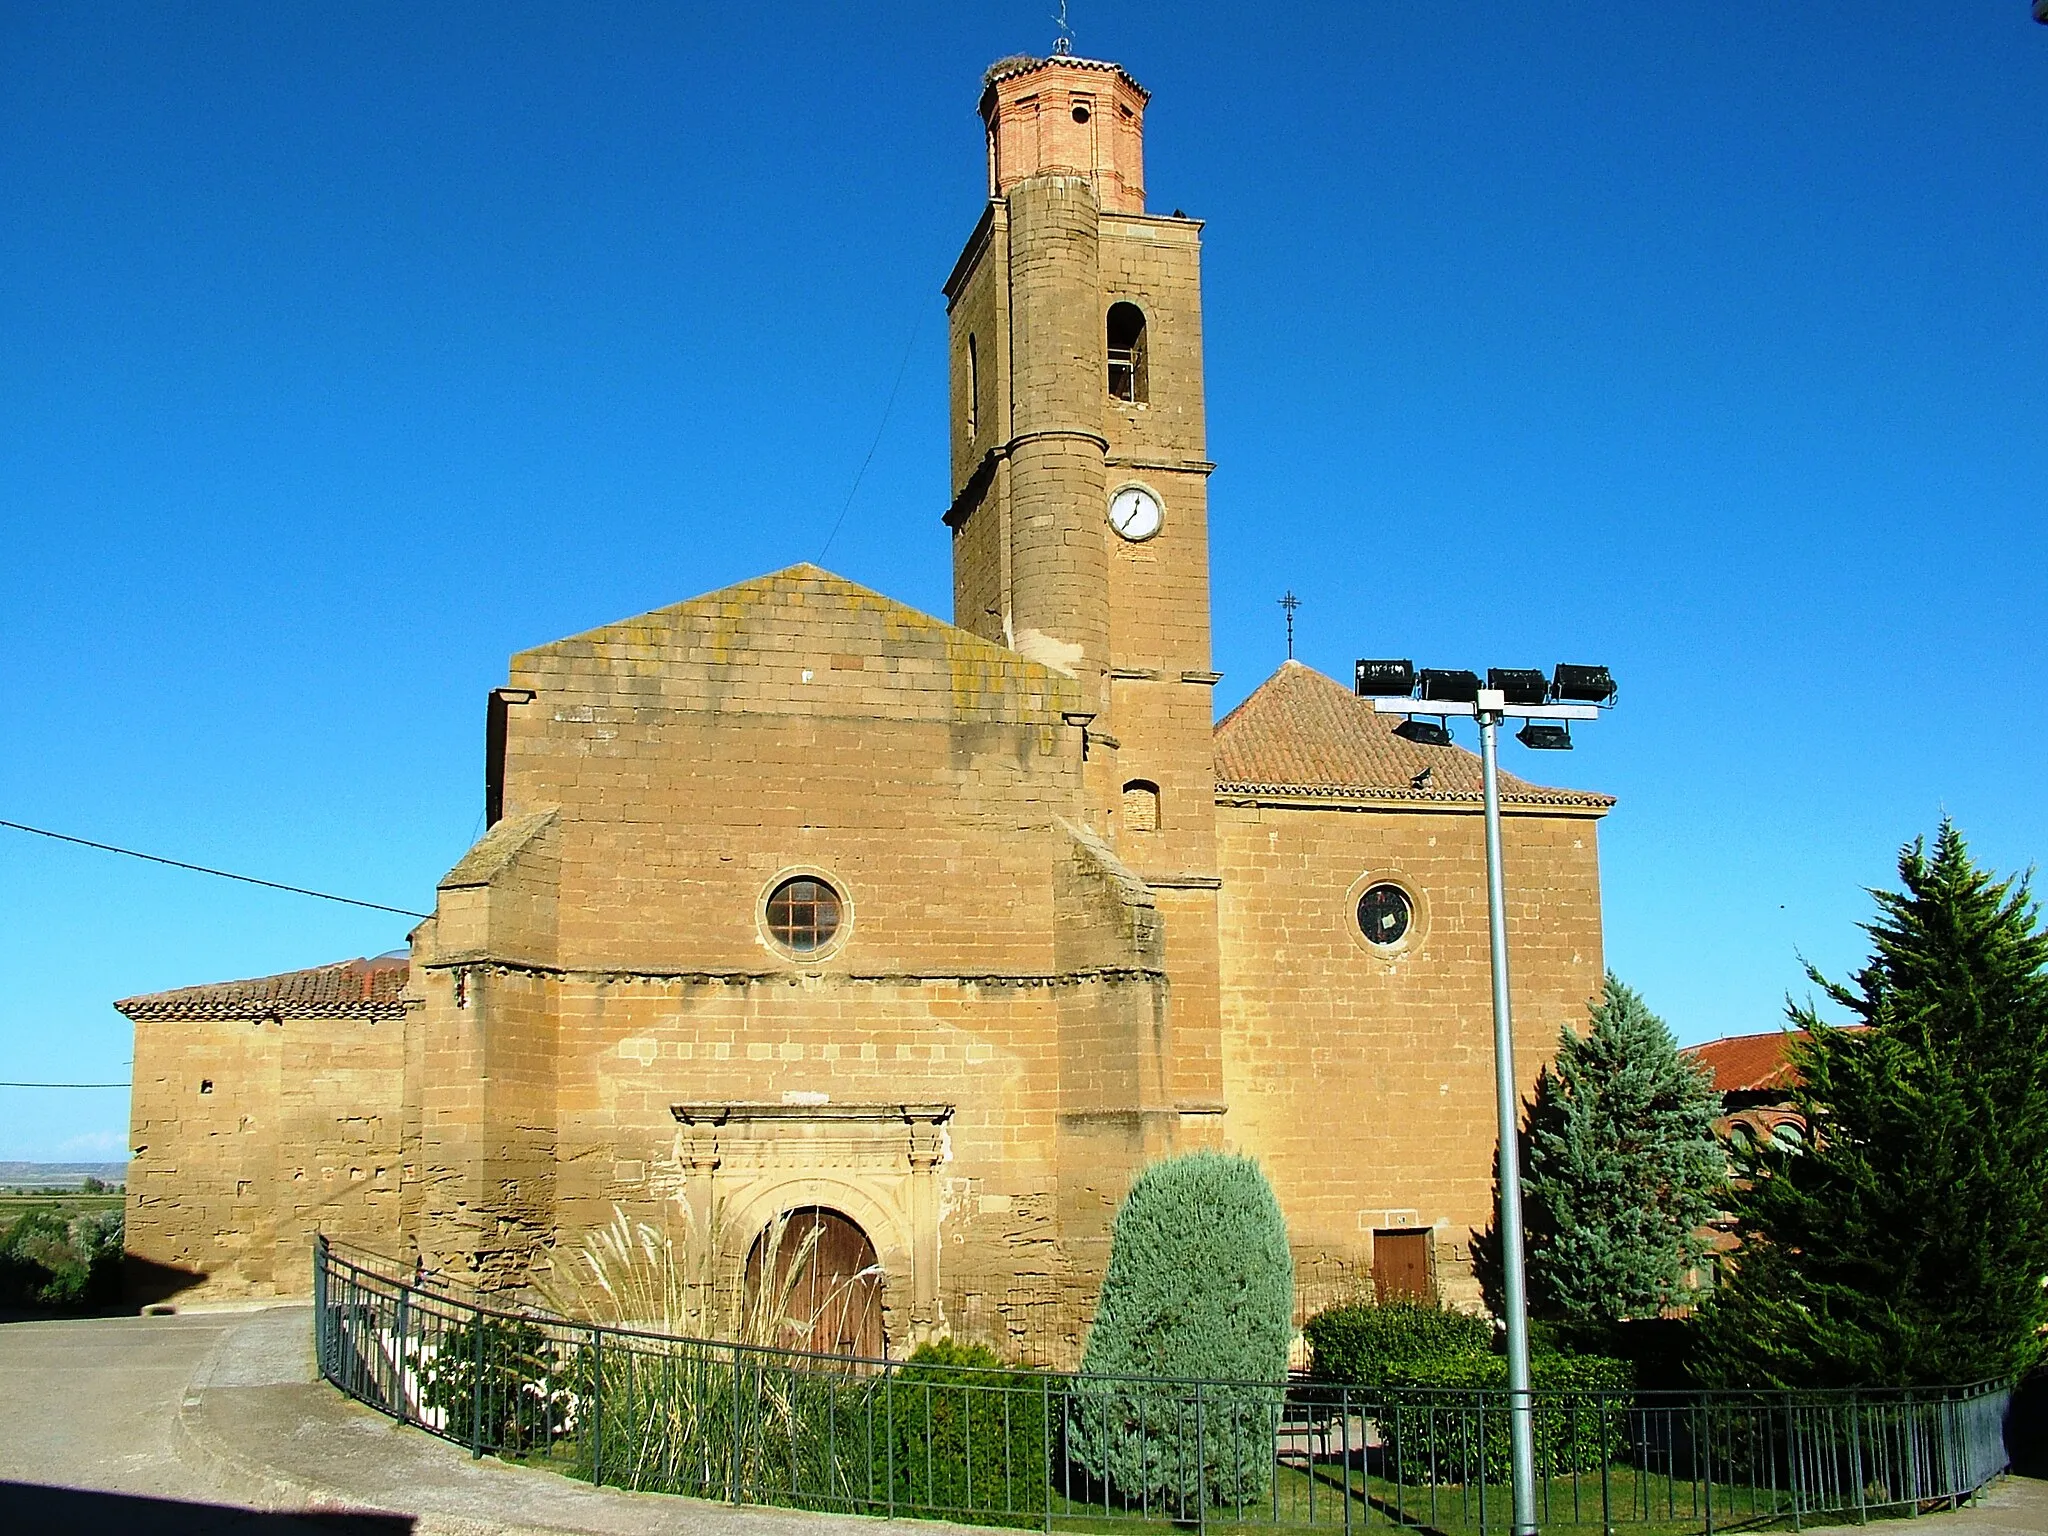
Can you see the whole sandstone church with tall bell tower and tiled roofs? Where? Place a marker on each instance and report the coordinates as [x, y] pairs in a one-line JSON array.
[[802, 904]]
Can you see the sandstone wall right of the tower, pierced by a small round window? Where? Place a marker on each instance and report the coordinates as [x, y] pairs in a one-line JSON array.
[[1363, 1080]]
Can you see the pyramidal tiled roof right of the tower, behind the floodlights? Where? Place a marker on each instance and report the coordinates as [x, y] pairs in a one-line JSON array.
[[1306, 734]]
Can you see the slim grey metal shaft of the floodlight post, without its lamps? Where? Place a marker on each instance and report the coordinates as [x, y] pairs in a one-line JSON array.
[[1514, 1279]]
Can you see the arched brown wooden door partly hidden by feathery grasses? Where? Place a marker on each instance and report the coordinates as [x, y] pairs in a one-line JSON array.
[[828, 1285]]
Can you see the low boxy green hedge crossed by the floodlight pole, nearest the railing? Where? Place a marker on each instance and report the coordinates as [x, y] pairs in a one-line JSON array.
[[1435, 1424]]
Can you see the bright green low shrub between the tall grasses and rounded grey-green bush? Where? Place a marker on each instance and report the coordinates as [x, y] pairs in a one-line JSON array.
[[970, 1437]]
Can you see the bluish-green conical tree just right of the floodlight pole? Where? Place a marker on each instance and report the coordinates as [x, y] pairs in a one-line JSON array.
[[1621, 1170]]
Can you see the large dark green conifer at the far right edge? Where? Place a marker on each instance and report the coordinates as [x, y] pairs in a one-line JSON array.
[[1904, 1238]]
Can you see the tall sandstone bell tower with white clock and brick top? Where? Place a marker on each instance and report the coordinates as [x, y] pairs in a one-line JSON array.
[[1080, 478]]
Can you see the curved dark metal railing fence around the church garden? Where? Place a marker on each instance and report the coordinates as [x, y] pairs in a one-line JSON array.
[[749, 1424]]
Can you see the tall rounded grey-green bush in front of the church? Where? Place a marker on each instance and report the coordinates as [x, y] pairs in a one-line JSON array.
[[1187, 1363]]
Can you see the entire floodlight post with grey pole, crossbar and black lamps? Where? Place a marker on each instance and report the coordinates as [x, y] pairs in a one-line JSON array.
[[1490, 708]]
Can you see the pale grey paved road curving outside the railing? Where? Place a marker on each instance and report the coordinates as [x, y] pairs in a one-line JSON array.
[[196, 1424]]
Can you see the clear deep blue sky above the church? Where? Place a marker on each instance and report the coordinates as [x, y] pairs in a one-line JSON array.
[[351, 349]]
